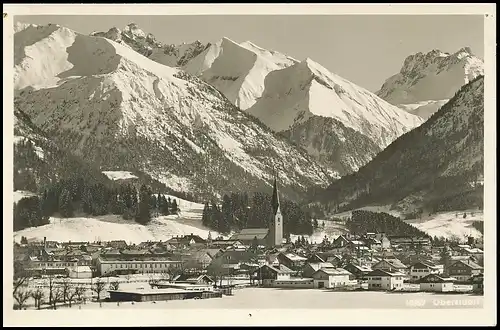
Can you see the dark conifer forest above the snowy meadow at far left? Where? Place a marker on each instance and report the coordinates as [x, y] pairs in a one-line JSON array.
[[76, 195]]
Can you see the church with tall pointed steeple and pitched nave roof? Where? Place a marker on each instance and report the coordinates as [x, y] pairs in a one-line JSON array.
[[269, 237]]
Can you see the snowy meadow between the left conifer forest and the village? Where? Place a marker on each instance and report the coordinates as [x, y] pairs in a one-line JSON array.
[[113, 227]]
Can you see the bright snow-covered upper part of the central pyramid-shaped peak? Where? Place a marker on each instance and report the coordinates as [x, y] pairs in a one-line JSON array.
[[306, 89]]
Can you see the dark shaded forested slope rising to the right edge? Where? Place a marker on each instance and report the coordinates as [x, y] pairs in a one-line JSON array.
[[436, 167]]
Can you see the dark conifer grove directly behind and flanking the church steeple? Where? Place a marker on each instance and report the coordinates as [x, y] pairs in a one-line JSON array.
[[238, 211]]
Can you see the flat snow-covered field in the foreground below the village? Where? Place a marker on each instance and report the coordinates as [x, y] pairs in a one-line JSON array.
[[254, 298]]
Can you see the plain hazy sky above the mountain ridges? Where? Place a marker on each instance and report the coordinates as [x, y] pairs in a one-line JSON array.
[[365, 49]]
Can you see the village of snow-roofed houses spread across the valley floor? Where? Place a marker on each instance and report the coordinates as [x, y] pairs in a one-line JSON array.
[[192, 267]]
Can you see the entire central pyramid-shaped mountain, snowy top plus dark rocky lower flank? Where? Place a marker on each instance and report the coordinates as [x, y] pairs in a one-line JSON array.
[[306, 90]]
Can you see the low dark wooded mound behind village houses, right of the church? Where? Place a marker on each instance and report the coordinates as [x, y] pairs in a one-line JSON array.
[[378, 222]]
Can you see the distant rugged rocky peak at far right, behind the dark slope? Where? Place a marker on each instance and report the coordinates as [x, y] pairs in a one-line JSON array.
[[429, 80]]
